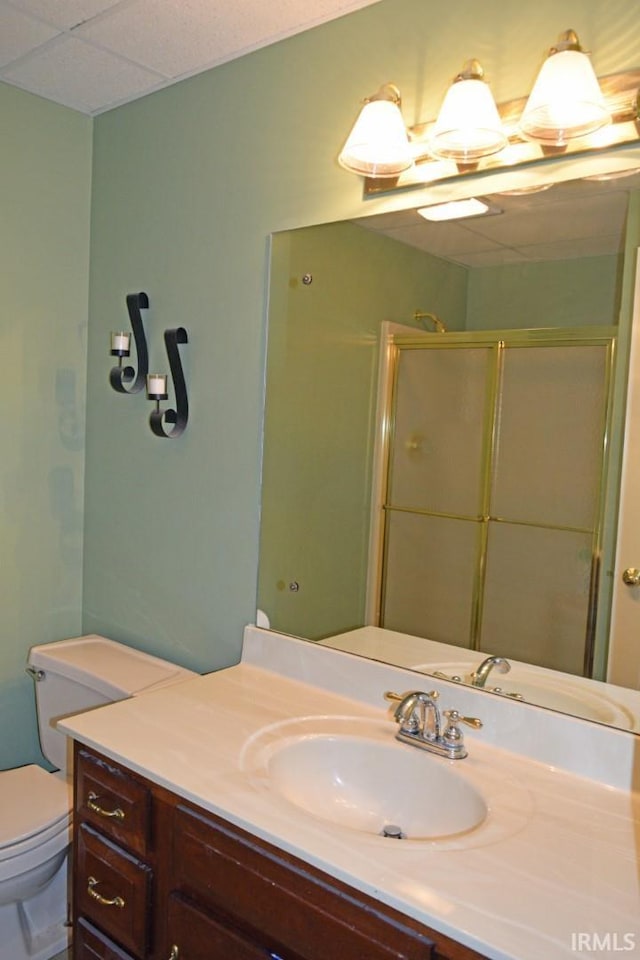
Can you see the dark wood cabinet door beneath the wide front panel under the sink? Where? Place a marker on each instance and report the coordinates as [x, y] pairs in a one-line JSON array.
[[198, 936]]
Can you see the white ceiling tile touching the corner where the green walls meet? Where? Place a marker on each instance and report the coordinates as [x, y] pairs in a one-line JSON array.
[[80, 76]]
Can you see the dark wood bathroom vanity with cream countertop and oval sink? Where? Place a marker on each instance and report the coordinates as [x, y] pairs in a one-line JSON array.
[[191, 843]]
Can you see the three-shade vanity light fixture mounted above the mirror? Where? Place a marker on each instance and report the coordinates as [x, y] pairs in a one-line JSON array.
[[569, 112]]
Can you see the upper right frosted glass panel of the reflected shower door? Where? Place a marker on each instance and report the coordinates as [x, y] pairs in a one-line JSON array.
[[551, 432]]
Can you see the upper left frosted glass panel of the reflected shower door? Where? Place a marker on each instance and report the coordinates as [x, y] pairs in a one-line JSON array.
[[437, 451]]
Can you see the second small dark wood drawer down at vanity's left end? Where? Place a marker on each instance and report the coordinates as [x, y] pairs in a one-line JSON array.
[[113, 889]]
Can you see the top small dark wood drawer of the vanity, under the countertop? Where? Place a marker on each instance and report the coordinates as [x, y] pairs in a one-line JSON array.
[[113, 801]]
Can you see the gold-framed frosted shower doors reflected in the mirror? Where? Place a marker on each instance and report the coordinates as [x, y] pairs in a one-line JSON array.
[[494, 482]]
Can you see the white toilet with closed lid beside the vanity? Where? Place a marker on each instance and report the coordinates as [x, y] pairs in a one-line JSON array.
[[35, 806]]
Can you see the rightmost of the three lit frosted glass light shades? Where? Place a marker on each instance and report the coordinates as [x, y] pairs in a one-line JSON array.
[[566, 101]]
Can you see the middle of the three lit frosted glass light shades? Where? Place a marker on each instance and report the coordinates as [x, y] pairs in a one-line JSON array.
[[468, 125]]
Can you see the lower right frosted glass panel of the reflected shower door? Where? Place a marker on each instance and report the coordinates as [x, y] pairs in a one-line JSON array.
[[536, 597]]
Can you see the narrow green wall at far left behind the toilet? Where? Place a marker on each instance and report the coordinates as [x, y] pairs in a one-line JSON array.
[[44, 241]]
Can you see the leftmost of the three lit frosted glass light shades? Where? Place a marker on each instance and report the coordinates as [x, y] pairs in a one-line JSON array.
[[378, 145]]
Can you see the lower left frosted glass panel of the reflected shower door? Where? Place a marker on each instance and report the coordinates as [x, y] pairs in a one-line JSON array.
[[430, 572]]
